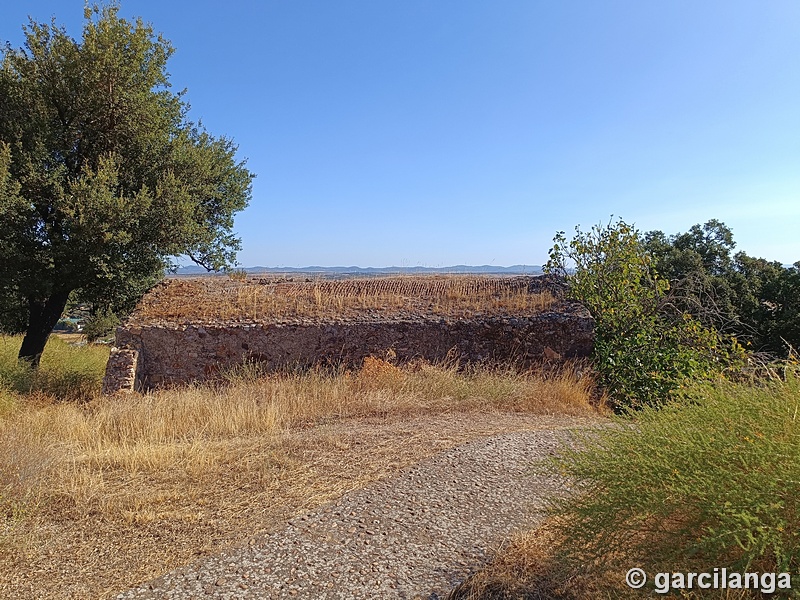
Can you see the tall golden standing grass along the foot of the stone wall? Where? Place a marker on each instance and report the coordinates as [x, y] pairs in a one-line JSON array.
[[150, 431]]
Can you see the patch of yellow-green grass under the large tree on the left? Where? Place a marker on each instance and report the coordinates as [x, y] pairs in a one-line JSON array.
[[67, 372]]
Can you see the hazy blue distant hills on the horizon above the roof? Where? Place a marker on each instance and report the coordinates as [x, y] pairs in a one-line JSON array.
[[472, 269]]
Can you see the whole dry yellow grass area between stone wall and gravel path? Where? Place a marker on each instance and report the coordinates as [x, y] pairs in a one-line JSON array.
[[99, 496]]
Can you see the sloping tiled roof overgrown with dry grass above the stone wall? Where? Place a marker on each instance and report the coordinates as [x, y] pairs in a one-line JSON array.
[[270, 299]]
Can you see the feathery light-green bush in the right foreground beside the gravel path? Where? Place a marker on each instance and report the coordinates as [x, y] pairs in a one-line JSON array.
[[710, 481]]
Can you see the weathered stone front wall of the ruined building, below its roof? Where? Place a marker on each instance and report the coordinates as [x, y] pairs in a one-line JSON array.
[[170, 355]]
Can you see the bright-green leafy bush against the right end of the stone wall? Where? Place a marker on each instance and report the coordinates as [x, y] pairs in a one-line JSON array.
[[644, 350]]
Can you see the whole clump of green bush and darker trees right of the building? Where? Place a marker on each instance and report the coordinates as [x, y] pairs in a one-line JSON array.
[[674, 309]]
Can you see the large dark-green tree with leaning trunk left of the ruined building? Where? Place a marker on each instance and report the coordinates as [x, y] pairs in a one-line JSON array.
[[103, 179]]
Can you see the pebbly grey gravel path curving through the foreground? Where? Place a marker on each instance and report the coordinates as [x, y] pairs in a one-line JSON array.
[[412, 537]]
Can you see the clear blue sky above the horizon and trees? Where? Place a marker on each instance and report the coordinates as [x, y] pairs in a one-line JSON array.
[[428, 132]]
